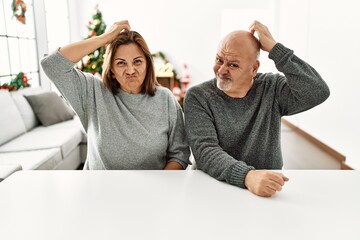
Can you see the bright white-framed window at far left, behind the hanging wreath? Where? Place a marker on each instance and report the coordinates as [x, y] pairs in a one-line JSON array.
[[17, 45]]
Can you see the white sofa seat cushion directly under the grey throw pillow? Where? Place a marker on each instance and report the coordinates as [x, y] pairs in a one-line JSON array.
[[66, 139]]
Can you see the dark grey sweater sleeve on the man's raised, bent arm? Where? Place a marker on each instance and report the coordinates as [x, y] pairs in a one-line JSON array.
[[302, 87]]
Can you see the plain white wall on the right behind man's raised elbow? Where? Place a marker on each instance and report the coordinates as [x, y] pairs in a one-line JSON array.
[[326, 34]]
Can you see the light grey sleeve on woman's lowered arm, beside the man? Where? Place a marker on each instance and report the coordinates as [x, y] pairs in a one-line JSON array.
[[178, 149]]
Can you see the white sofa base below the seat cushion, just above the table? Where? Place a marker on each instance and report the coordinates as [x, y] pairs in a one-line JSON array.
[[30, 160]]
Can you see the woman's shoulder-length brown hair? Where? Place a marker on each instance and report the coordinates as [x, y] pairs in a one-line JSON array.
[[150, 82]]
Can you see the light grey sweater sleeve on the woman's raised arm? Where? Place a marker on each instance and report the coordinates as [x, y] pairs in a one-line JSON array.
[[72, 83]]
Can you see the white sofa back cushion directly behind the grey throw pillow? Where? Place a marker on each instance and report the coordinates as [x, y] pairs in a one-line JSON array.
[[26, 112]]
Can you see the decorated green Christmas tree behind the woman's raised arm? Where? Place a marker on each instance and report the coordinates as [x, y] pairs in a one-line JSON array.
[[93, 62]]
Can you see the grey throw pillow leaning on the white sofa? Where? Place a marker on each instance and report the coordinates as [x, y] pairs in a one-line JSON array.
[[50, 108]]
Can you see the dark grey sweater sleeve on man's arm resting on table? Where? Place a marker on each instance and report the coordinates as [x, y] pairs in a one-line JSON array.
[[203, 139]]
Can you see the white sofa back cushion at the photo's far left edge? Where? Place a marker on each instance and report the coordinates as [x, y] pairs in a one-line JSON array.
[[11, 123]]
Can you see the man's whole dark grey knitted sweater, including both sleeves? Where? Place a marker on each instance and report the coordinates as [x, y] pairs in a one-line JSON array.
[[231, 136]]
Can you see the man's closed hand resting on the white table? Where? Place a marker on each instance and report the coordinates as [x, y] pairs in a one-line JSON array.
[[264, 183]]
